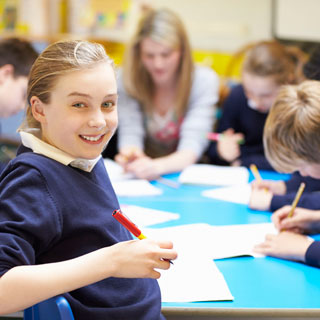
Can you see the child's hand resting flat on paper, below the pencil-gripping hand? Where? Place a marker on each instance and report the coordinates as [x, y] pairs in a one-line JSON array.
[[285, 245]]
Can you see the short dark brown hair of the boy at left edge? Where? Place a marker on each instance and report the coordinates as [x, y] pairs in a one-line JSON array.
[[19, 53]]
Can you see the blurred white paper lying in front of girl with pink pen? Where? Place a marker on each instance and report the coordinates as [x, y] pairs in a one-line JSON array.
[[206, 174]]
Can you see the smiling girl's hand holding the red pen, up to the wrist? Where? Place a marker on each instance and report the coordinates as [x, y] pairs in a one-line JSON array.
[[140, 258]]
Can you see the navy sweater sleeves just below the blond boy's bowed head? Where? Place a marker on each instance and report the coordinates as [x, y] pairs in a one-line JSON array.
[[310, 199]]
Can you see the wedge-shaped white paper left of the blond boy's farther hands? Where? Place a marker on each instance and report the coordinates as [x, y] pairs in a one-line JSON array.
[[237, 194]]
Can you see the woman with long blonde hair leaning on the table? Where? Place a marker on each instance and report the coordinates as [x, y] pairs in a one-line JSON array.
[[166, 103]]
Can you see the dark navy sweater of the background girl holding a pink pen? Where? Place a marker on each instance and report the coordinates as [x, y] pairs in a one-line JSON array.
[[236, 114]]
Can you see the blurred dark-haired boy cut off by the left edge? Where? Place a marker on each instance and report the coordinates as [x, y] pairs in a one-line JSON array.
[[16, 59]]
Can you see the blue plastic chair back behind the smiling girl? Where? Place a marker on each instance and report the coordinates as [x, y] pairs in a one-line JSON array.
[[56, 308]]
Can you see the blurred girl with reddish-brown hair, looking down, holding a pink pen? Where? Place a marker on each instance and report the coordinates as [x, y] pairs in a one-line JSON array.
[[266, 67]]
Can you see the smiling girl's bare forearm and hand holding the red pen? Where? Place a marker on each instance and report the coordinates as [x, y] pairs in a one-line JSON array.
[[23, 286]]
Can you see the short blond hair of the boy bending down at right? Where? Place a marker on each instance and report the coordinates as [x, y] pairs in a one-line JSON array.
[[292, 129]]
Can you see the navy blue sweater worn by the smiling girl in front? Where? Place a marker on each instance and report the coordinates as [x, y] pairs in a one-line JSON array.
[[49, 213]]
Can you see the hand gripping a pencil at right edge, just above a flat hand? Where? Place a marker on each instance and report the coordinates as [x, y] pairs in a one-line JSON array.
[[302, 221]]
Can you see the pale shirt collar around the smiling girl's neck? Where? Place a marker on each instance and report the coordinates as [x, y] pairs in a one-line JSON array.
[[30, 139]]
